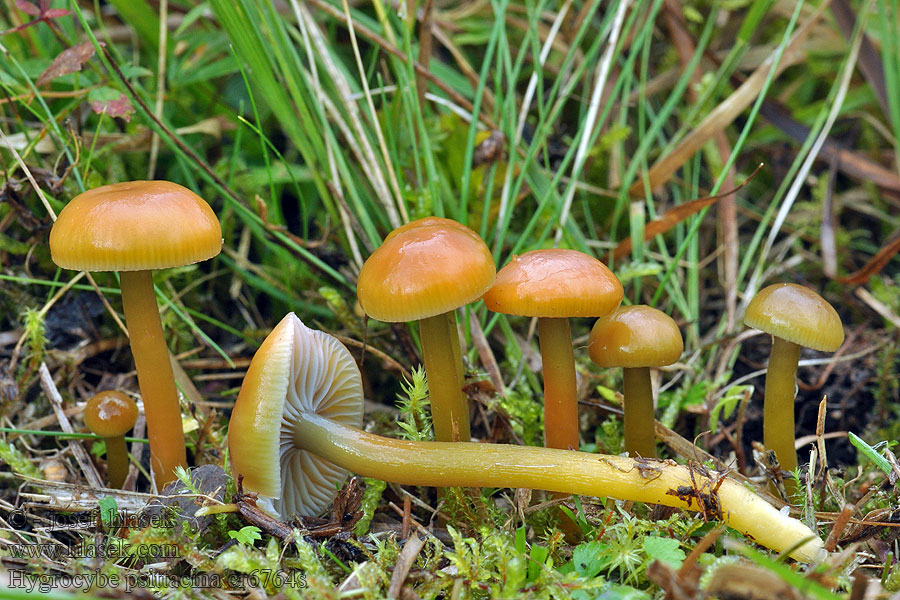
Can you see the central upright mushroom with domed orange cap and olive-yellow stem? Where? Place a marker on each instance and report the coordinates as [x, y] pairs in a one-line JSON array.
[[423, 271]]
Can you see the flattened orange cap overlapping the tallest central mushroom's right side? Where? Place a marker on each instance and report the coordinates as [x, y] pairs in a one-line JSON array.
[[554, 283]]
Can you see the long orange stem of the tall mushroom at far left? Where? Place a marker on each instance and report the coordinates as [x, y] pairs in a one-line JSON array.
[[155, 378]]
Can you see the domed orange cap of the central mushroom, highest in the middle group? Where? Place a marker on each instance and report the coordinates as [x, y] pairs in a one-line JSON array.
[[425, 268]]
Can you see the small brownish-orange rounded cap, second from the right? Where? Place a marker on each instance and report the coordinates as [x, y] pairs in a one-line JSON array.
[[635, 336]]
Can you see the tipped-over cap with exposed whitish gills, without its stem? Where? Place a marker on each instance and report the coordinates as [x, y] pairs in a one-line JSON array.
[[296, 369]]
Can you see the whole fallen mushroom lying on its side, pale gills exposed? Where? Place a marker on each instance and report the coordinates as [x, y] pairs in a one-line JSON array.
[[296, 370]]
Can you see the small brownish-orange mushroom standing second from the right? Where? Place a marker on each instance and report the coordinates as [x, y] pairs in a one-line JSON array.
[[636, 338]]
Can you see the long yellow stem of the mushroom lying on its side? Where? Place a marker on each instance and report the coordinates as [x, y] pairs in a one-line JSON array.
[[498, 465]]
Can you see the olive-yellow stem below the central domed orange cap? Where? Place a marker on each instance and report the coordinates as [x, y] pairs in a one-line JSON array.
[[449, 406]]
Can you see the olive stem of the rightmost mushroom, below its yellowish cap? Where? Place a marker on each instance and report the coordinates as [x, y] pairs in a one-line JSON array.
[[778, 410]]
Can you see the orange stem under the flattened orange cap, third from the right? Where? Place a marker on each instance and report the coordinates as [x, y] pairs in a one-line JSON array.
[[560, 394]]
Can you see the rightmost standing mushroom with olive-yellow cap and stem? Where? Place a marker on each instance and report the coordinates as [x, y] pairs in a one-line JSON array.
[[795, 316]]
